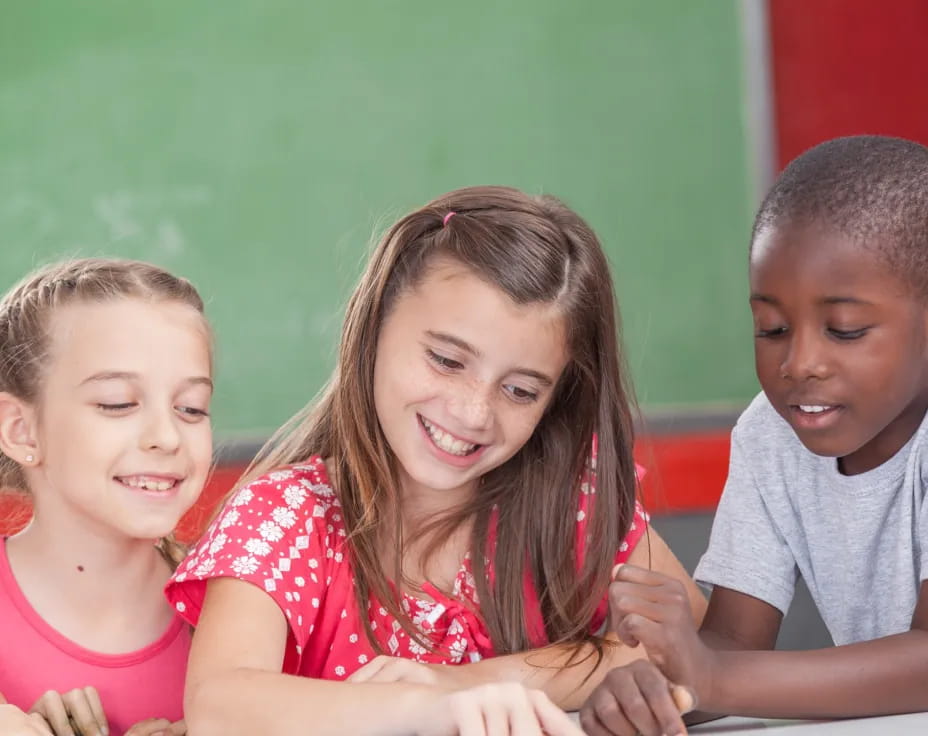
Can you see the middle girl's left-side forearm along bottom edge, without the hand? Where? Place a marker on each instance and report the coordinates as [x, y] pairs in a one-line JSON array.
[[252, 701]]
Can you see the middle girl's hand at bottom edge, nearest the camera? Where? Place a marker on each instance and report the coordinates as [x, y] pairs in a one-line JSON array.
[[496, 709]]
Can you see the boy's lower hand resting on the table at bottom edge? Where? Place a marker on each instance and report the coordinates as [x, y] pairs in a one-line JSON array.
[[636, 699]]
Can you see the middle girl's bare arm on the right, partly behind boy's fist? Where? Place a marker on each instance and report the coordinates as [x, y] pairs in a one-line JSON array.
[[547, 668]]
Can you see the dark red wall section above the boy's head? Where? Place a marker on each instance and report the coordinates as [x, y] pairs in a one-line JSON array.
[[843, 67]]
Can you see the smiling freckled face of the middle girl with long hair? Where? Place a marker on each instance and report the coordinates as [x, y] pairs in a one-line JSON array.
[[462, 377]]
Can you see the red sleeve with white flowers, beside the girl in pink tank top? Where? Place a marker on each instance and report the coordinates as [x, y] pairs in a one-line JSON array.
[[273, 534]]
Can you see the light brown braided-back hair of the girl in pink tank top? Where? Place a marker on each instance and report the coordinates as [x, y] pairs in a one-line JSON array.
[[25, 314]]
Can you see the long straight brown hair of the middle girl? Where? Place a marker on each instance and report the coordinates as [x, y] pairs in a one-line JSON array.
[[536, 250]]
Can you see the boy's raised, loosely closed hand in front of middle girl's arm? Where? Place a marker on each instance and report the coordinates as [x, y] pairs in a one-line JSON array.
[[654, 610]]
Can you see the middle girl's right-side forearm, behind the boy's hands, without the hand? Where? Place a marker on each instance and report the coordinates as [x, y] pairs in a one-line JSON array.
[[567, 682]]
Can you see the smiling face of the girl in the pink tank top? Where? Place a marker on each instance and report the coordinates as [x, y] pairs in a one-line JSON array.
[[123, 430]]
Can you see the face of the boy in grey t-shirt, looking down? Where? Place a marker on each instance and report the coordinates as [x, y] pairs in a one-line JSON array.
[[841, 344]]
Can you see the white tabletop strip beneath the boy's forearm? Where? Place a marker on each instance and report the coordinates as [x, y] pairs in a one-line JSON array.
[[902, 725]]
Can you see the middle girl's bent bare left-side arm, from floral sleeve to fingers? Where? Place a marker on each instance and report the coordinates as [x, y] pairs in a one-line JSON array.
[[234, 685]]
